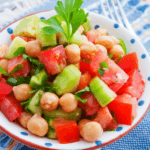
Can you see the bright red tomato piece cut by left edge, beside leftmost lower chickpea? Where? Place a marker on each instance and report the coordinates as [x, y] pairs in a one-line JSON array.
[[5, 89]]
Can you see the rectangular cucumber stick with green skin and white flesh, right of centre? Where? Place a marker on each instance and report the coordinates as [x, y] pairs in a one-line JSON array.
[[101, 91]]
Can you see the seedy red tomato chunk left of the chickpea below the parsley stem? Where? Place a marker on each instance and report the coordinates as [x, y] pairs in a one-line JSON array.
[[53, 59]]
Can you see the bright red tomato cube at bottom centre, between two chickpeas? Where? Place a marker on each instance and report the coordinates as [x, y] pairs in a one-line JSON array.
[[66, 130]]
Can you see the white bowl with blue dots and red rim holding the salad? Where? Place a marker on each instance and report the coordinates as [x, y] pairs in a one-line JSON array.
[[133, 45]]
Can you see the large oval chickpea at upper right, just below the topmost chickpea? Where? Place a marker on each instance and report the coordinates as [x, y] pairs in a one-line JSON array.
[[106, 41]]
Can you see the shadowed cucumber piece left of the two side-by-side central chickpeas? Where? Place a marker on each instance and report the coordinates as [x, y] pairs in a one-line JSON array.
[[34, 104]]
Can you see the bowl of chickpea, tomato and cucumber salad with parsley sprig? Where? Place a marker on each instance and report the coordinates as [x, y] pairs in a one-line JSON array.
[[71, 79]]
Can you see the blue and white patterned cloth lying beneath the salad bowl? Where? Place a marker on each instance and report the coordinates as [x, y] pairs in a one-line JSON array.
[[138, 14]]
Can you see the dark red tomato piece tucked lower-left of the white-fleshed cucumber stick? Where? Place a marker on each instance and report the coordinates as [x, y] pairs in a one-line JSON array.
[[91, 106]]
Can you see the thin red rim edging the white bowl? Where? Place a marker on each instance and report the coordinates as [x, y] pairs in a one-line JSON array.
[[30, 144]]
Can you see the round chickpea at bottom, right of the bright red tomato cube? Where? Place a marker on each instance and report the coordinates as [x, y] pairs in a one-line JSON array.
[[91, 131]]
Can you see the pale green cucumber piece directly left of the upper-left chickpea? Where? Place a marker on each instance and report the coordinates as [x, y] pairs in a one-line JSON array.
[[16, 43]]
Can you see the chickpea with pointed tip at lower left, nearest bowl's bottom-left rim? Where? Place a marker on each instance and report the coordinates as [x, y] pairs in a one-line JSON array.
[[38, 125]]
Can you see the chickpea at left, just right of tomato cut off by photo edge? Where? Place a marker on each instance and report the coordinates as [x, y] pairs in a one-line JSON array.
[[21, 92]]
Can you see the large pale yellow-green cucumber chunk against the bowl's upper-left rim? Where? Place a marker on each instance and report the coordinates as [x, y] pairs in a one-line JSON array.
[[27, 26]]
